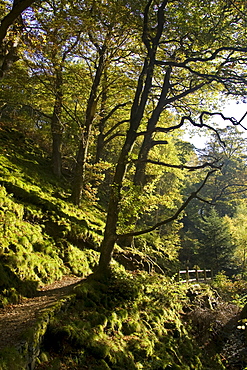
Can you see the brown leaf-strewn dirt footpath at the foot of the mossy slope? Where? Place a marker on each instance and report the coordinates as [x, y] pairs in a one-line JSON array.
[[16, 318]]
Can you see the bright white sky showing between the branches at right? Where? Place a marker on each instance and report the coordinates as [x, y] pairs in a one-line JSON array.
[[231, 109]]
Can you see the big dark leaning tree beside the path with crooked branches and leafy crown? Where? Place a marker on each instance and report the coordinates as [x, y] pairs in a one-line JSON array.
[[200, 61]]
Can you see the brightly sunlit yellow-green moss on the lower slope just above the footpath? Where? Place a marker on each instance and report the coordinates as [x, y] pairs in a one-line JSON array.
[[30, 256]]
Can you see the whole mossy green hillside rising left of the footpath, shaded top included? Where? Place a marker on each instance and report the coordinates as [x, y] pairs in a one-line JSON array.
[[42, 236]]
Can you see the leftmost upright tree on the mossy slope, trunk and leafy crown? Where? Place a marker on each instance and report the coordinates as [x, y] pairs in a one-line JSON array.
[[50, 26]]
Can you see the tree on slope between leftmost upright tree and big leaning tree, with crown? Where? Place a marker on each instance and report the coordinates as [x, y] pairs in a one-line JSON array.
[[111, 23]]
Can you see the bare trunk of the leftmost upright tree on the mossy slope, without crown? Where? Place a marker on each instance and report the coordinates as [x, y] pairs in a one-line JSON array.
[[56, 125]]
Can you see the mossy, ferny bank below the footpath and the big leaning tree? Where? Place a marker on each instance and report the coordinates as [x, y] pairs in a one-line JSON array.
[[132, 321]]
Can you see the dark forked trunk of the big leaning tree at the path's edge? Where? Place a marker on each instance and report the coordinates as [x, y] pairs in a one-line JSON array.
[[137, 111]]
